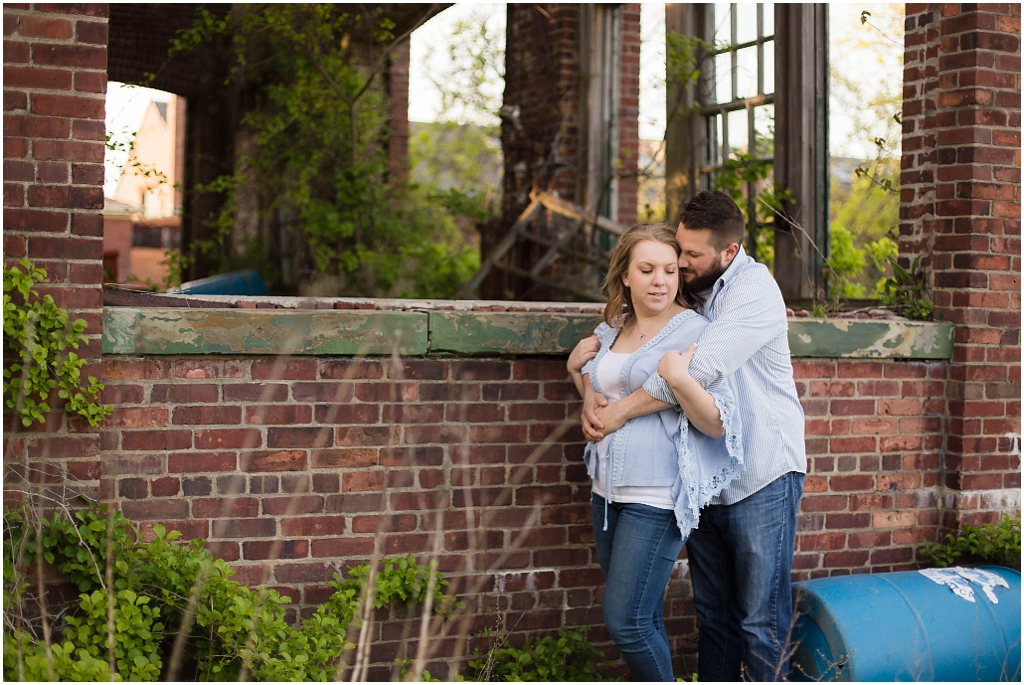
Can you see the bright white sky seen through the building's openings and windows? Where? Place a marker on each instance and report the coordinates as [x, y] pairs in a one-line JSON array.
[[852, 49]]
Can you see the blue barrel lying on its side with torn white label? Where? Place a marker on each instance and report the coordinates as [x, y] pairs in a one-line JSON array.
[[908, 627]]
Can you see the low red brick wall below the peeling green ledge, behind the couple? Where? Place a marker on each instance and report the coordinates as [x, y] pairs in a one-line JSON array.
[[294, 467]]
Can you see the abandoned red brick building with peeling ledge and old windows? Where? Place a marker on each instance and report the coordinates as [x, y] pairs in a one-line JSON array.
[[296, 435]]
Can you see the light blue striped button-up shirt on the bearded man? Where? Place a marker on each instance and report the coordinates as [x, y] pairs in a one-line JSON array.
[[748, 336]]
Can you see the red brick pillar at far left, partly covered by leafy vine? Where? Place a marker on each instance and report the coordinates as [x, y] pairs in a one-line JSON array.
[[55, 87]]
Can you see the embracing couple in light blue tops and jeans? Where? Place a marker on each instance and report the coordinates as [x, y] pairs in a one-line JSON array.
[[696, 437]]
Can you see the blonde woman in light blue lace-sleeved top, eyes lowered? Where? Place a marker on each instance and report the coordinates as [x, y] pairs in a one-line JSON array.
[[652, 477]]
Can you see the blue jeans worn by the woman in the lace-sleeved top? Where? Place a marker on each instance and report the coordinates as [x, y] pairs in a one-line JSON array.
[[637, 553]]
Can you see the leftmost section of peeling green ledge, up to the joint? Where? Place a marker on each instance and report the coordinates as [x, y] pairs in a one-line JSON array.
[[159, 331]]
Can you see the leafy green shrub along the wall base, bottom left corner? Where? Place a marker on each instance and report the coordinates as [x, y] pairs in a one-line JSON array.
[[162, 587]]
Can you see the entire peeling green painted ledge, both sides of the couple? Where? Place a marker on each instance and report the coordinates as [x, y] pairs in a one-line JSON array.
[[356, 333]]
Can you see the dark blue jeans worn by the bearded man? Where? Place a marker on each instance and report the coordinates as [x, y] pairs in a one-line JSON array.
[[741, 558]]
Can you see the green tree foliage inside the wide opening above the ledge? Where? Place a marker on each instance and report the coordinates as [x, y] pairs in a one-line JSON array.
[[319, 162]]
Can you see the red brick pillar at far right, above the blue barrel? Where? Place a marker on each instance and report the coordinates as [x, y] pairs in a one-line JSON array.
[[961, 209]]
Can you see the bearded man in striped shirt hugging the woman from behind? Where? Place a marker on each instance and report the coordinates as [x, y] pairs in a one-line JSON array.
[[742, 553]]
